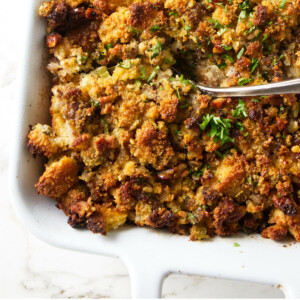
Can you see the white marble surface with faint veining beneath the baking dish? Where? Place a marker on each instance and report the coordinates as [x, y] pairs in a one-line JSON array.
[[30, 268]]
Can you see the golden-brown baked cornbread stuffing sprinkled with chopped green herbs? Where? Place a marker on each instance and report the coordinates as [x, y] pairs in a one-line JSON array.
[[133, 142]]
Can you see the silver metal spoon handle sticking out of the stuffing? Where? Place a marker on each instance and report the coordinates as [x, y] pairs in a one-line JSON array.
[[278, 88]]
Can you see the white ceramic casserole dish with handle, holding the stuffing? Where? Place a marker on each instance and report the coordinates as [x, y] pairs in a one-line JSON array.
[[148, 254]]
